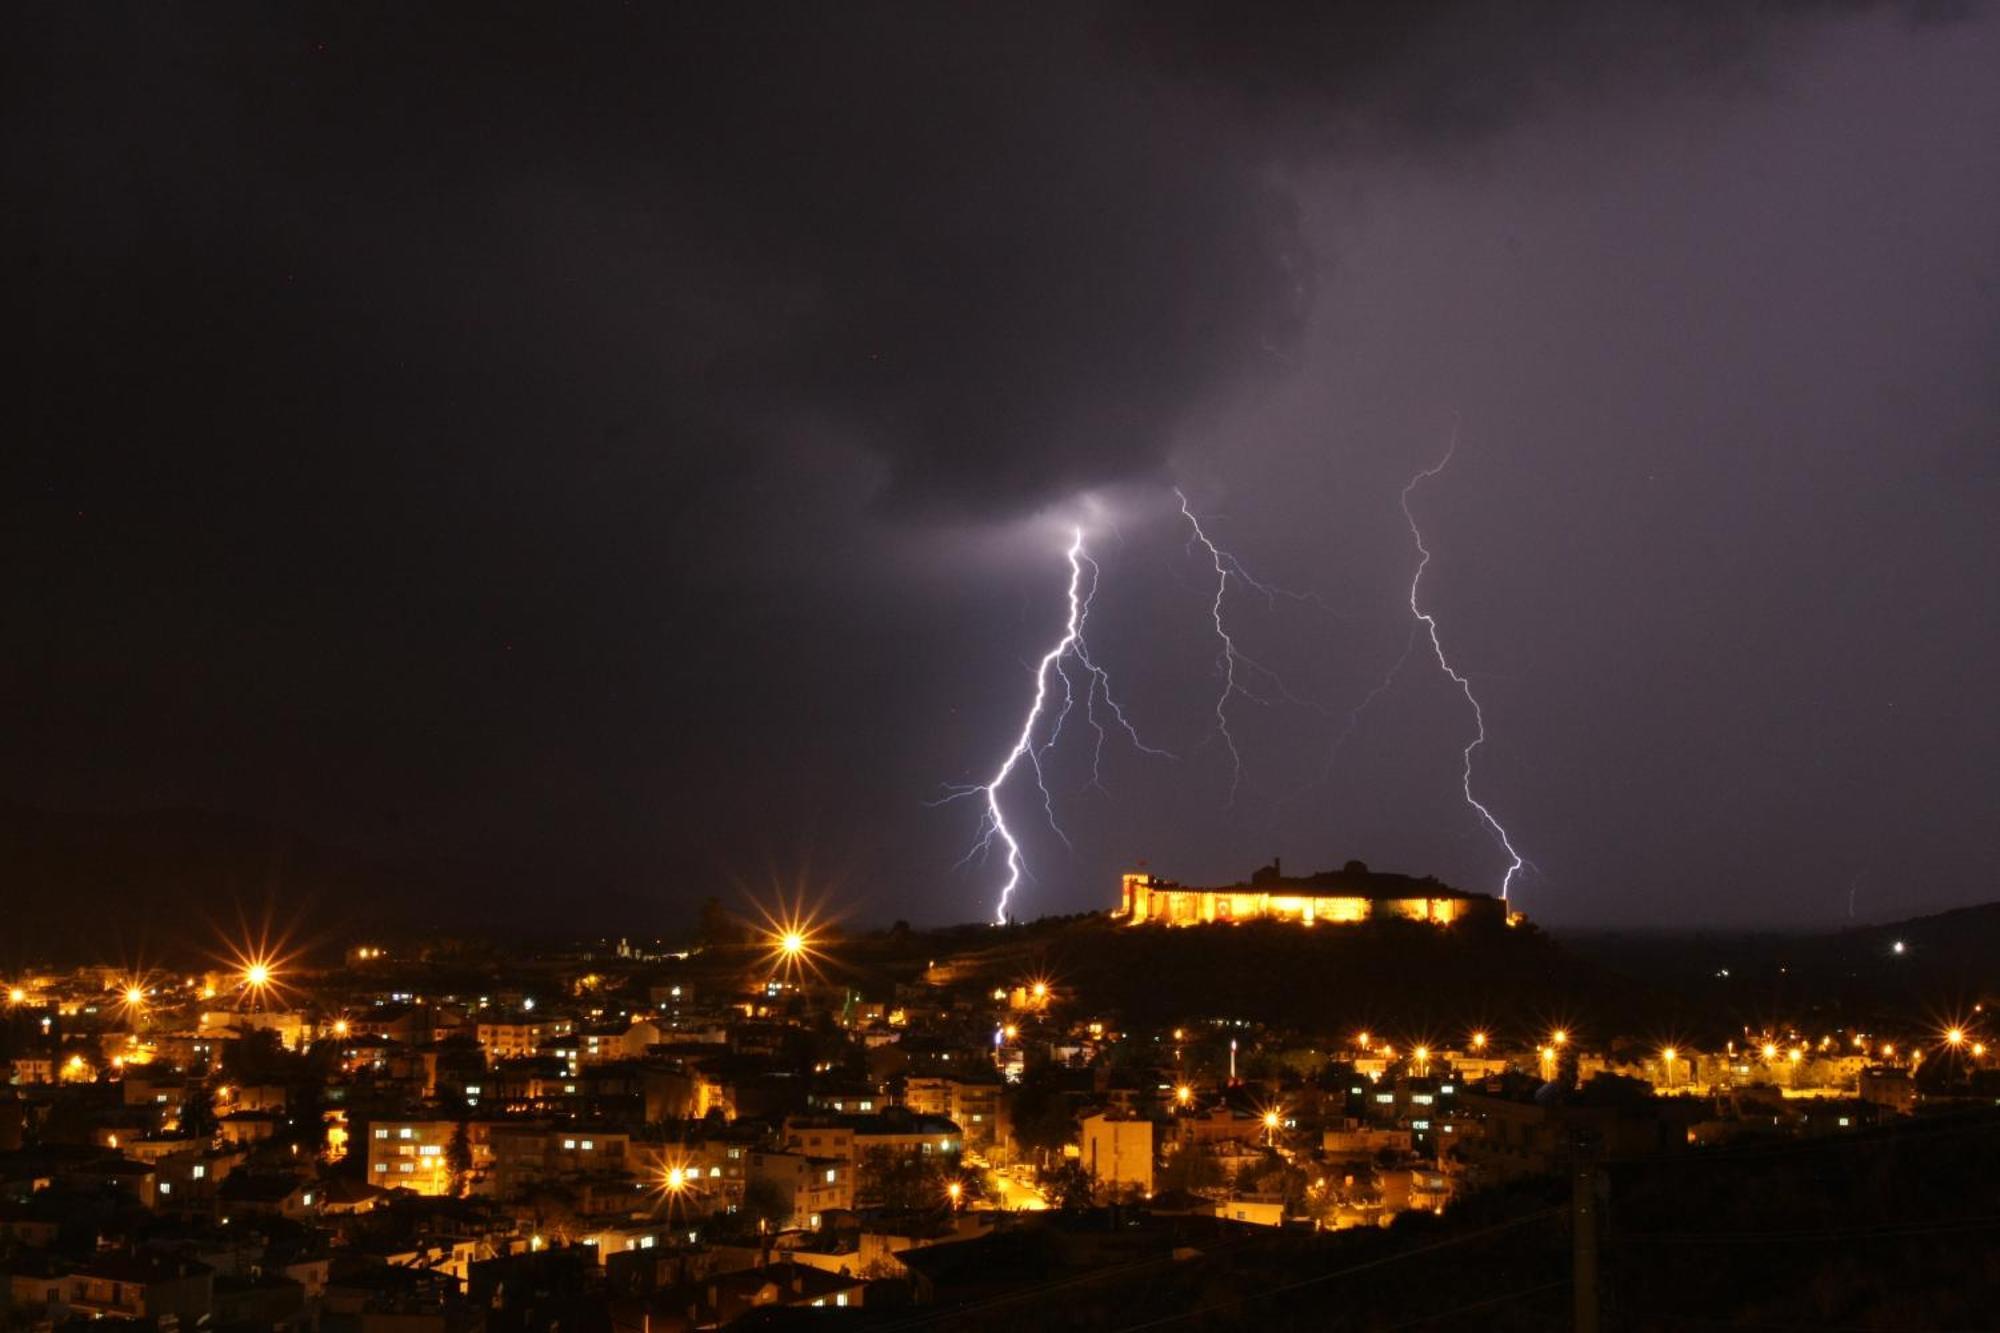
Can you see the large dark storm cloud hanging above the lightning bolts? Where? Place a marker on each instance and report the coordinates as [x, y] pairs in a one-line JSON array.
[[1003, 251]]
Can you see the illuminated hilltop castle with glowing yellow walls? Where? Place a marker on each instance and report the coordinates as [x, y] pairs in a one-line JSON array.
[[1345, 896]]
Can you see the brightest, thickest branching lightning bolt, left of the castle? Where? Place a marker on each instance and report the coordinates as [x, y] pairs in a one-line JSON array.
[[1071, 647]]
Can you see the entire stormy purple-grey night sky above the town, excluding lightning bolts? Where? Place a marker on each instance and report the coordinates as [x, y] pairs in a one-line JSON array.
[[637, 447]]
